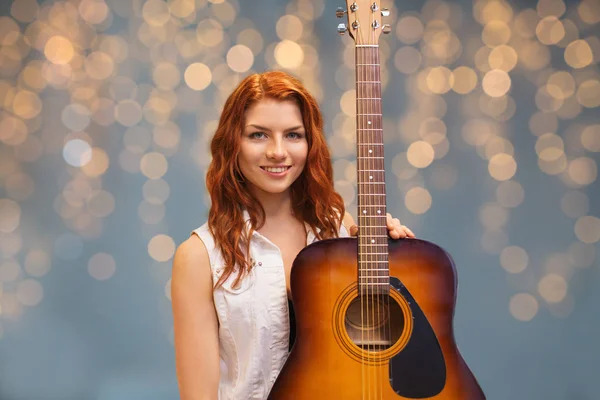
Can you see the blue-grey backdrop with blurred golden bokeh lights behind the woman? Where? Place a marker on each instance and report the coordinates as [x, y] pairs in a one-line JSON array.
[[107, 107]]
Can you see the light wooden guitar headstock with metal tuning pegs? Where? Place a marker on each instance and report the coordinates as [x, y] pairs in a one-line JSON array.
[[364, 21]]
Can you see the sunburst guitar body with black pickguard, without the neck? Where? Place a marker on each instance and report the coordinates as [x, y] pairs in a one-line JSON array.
[[334, 358]]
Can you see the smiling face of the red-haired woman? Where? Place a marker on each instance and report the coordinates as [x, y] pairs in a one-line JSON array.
[[273, 148]]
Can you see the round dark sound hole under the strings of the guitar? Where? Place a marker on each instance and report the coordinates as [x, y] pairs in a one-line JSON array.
[[374, 322]]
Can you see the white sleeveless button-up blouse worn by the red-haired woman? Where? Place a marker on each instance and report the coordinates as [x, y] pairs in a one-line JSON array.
[[254, 324]]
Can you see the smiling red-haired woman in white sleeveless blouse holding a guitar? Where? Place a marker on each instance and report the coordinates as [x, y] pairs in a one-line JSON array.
[[271, 186]]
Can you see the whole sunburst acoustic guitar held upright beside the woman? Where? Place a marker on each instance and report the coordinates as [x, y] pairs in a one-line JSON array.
[[374, 315]]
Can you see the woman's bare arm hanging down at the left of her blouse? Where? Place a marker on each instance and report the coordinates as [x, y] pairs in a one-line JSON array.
[[195, 322]]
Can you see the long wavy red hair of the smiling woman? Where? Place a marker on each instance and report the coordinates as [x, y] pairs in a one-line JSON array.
[[314, 199]]
